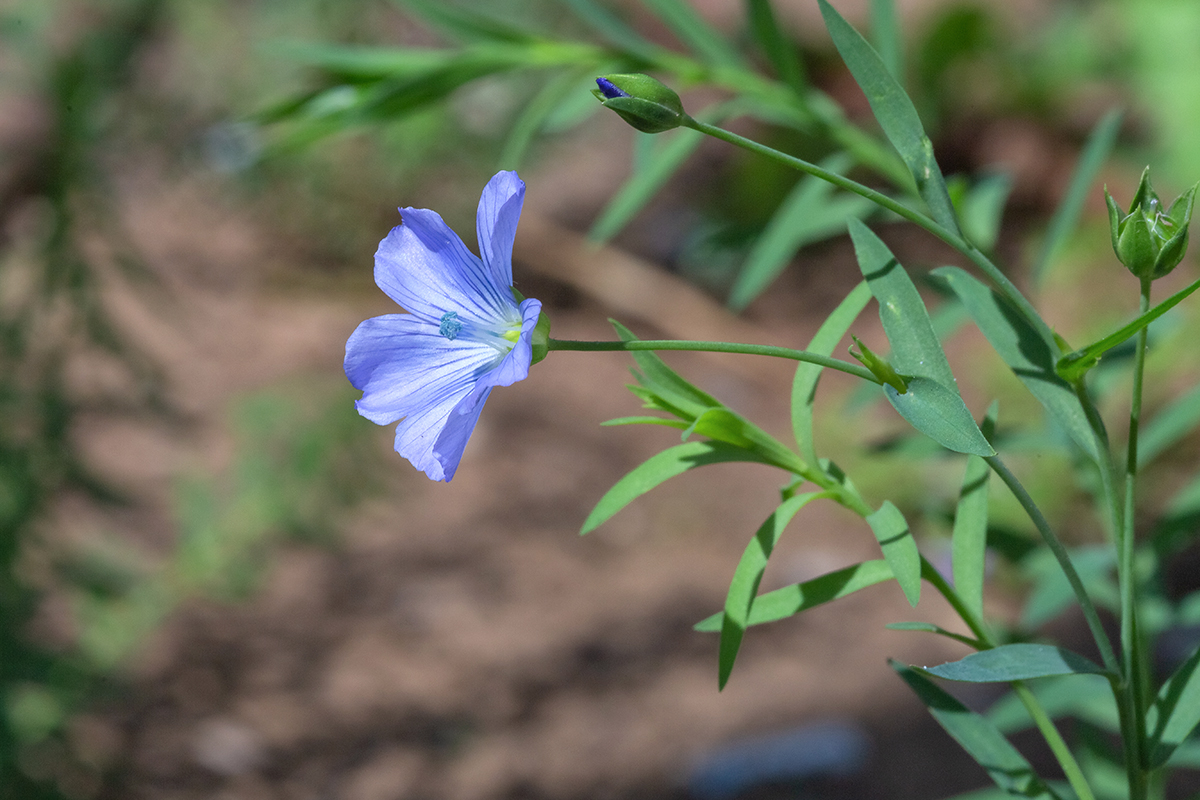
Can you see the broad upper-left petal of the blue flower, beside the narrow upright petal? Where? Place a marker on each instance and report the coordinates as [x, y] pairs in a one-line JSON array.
[[425, 268]]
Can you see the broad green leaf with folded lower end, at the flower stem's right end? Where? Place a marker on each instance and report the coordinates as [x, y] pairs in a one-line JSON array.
[[932, 402]]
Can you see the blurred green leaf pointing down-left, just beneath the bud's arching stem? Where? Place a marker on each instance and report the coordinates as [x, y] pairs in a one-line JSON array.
[[809, 214]]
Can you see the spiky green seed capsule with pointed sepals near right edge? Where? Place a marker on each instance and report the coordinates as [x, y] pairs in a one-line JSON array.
[[1149, 240]]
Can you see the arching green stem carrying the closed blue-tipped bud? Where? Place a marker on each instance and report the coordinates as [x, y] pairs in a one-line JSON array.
[[951, 238]]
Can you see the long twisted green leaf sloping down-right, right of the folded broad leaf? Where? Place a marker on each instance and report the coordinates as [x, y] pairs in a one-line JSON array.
[[1025, 352]]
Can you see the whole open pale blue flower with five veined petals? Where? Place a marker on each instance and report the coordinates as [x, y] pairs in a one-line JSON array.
[[465, 332]]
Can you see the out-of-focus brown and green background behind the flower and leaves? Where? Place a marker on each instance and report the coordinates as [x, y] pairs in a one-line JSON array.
[[217, 581]]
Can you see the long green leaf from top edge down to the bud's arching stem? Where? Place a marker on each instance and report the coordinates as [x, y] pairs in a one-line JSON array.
[[896, 115]]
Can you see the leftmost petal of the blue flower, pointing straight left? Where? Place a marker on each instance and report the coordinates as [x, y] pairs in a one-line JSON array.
[[406, 369]]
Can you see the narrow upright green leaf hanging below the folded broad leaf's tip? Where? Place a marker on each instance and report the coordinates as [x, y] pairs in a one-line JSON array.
[[969, 542]]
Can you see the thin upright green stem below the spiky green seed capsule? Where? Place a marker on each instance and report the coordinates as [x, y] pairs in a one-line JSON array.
[[1131, 639]]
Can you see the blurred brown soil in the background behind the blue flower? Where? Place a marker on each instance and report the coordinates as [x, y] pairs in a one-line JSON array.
[[461, 641]]
